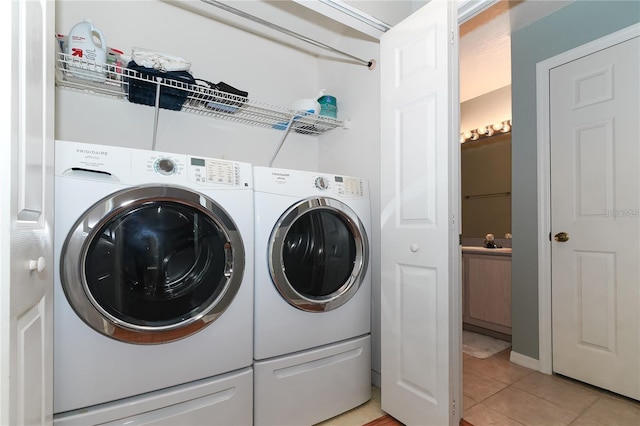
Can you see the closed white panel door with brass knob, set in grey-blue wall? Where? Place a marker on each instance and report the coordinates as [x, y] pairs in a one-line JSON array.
[[595, 189]]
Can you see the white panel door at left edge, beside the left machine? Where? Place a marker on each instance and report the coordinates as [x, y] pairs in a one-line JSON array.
[[26, 261]]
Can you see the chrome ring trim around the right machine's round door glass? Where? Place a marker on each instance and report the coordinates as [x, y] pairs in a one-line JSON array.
[[276, 262]]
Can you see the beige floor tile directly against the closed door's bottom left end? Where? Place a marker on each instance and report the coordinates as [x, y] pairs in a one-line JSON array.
[[560, 391]]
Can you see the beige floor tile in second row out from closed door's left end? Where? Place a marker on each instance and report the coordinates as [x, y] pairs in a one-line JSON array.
[[529, 409]]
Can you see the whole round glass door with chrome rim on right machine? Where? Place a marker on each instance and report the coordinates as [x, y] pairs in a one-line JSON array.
[[318, 254]]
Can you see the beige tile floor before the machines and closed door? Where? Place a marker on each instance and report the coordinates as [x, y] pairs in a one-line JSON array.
[[498, 392]]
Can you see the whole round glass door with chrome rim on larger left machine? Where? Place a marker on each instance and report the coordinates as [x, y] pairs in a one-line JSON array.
[[152, 264]]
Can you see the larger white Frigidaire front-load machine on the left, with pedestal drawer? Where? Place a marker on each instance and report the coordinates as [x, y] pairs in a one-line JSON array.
[[153, 297]]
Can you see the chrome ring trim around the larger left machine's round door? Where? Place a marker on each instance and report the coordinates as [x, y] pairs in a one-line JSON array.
[[74, 254]]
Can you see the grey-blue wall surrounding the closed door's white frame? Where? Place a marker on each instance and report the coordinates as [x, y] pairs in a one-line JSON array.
[[579, 23]]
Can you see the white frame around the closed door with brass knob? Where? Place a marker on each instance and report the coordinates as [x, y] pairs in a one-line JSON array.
[[543, 68]]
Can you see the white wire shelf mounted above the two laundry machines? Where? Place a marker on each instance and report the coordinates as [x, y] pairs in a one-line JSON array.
[[116, 81]]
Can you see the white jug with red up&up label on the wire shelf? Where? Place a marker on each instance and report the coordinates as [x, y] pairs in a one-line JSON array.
[[87, 59]]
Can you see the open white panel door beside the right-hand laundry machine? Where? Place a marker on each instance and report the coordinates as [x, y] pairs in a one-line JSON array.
[[420, 256]]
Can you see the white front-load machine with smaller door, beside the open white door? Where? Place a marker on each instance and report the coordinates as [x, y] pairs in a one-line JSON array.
[[312, 300]]
